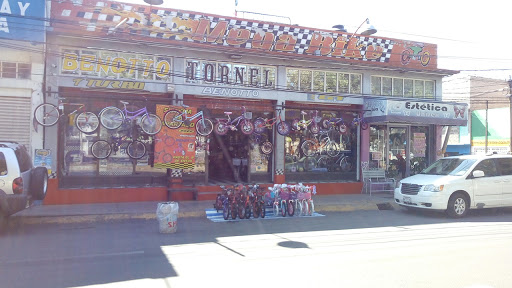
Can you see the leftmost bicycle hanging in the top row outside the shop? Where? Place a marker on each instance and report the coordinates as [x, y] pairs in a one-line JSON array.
[[47, 114]]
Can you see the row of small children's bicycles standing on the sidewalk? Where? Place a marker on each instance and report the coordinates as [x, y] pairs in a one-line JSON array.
[[245, 201]]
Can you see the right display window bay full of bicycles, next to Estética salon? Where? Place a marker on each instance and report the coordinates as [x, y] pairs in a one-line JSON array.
[[323, 147]]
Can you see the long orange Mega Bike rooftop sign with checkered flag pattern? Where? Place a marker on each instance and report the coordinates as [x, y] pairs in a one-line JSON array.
[[137, 22]]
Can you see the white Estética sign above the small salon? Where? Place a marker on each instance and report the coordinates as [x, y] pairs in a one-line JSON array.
[[428, 112]]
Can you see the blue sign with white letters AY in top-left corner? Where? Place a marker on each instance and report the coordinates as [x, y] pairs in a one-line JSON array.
[[22, 20]]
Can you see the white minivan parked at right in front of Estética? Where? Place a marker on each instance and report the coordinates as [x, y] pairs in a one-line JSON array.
[[459, 183]]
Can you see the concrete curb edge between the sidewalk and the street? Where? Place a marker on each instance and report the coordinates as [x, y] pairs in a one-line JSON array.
[[73, 219]]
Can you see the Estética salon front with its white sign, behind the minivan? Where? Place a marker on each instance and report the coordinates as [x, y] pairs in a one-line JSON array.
[[403, 135]]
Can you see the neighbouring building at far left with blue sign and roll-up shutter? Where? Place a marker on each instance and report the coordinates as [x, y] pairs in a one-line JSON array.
[[21, 70]]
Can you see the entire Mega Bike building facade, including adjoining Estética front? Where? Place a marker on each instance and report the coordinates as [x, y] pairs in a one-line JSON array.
[[387, 92]]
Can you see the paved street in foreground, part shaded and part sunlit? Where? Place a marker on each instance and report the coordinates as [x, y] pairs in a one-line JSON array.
[[390, 248]]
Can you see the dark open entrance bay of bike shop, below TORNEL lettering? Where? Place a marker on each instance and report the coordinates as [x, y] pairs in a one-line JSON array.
[[234, 154]]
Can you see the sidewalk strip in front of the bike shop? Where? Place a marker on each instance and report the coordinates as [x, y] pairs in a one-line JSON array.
[[78, 213]]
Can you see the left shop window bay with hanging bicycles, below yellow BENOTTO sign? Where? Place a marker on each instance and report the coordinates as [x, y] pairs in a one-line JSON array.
[[125, 156]]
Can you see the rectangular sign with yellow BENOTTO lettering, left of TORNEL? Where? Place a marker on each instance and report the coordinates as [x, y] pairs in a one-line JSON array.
[[102, 63]]
